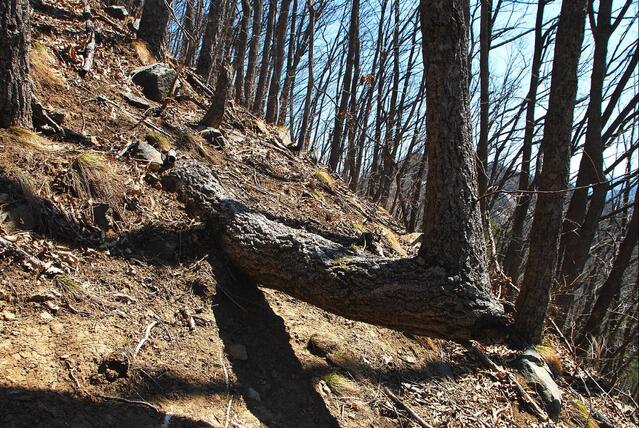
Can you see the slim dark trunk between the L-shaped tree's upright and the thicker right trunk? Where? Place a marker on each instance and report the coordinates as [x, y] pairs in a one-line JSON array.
[[515, 252]]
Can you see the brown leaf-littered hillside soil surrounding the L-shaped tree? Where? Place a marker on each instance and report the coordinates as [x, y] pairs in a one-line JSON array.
[[123, 313]]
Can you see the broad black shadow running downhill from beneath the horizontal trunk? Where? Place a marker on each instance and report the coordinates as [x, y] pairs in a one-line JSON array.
[[287, 396]]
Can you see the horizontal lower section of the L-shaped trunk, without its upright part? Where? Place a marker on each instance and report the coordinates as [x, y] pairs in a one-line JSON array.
[[403, 294]]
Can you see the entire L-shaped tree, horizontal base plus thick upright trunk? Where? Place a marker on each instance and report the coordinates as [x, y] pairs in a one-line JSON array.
[[443, 292]]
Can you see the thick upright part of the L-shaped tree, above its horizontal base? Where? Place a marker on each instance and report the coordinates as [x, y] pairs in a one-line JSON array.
[[453, 237]]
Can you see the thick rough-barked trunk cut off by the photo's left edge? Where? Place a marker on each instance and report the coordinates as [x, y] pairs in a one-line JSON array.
[[15, 42]]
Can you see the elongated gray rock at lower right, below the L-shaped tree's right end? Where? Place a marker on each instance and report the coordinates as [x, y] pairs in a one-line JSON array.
[[538, 375]]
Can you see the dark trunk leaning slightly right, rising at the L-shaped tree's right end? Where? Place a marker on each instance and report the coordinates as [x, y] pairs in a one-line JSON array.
[[533, 299]]
